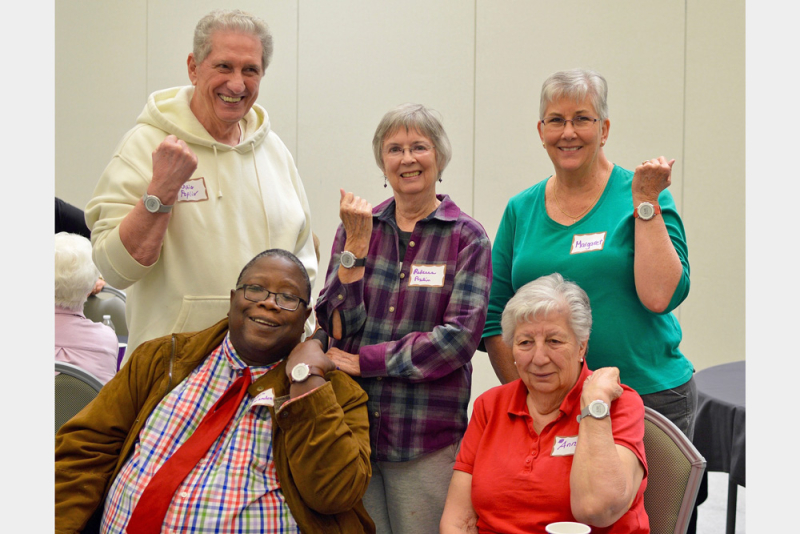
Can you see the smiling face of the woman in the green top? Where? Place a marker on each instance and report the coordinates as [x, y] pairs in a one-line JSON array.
[[569, 149]]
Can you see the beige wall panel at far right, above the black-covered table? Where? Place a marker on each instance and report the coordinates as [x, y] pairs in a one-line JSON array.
[[713, 317]]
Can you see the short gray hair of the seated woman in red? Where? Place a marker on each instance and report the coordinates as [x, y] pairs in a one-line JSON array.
[[546, 295]]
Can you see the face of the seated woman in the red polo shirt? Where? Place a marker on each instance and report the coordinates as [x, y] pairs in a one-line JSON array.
[[547, 355]]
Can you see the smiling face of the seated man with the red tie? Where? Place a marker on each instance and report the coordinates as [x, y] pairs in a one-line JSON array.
[[261, 332]]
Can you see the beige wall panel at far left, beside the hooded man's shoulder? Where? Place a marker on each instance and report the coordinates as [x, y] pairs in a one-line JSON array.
[[100, 75]]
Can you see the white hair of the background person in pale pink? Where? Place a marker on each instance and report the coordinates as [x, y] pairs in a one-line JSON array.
[[76, 273]]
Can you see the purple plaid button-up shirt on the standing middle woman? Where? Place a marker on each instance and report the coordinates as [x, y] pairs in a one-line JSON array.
[[415, 334]]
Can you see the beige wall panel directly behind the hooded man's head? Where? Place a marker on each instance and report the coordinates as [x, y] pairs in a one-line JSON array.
[[170, 32]]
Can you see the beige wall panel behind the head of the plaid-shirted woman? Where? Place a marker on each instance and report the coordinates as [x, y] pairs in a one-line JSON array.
[[360, 58]]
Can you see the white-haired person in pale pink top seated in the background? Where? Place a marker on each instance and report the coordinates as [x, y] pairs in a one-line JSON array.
[[91, 346]]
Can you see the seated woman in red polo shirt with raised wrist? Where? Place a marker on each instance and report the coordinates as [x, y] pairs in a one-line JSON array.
[[560, 443]]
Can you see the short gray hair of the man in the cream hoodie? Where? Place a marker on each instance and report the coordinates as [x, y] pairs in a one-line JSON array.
[[231, 20]]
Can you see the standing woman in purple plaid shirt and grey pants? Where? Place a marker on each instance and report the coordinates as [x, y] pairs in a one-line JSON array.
[[405, 302]]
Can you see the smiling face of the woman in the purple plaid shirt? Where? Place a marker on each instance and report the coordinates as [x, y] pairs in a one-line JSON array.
[[410, 169]]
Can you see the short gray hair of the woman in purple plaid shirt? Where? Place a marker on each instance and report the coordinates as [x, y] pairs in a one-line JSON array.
[[413, 117]]
